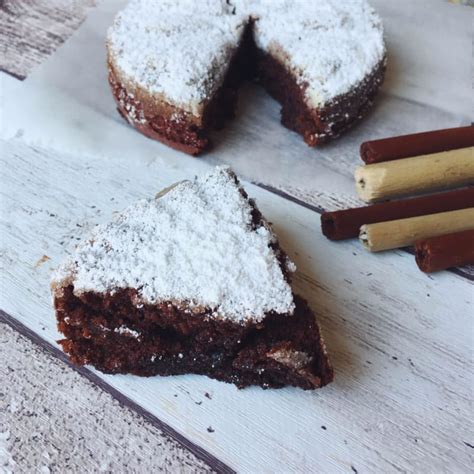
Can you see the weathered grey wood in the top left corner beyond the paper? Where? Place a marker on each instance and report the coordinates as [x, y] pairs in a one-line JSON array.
[[30, 30]]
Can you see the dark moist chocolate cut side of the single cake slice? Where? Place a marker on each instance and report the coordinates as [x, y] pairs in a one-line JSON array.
[[115, 337]]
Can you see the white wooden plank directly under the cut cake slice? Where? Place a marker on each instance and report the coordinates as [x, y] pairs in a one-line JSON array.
[[397, 338]]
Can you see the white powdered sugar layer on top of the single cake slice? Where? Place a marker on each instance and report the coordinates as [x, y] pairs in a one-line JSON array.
[[195, 244]]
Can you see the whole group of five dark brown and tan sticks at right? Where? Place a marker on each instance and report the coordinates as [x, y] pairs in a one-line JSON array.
[[441, 225]]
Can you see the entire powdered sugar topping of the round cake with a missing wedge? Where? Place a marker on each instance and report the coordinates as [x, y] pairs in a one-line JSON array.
[[181, 48]]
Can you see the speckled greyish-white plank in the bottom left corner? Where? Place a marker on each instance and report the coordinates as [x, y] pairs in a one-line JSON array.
[[54, 420]]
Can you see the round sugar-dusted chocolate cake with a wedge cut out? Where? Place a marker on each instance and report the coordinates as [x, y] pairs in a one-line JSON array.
[[175, 66]]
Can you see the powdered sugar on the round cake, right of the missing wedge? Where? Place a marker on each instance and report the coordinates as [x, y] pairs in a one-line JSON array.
[[330, 45]]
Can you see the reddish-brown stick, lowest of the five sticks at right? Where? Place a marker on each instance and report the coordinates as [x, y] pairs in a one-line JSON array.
[[451, 250]]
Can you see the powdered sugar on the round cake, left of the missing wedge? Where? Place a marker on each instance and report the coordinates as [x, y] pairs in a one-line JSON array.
[[179, 49]]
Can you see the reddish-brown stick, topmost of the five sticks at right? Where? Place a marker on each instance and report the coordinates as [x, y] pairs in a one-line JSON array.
[[394, 148]]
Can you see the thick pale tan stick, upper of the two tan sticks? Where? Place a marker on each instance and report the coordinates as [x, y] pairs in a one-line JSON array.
[[415, 175]]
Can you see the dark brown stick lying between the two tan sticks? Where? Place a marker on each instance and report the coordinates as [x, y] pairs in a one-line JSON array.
[[340, 225]]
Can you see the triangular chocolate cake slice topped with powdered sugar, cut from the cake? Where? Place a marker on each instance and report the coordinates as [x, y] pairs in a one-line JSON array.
[[192, 281]]
